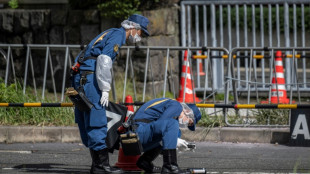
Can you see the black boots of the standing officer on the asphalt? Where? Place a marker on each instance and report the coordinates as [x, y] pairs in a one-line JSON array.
[[100, 162]]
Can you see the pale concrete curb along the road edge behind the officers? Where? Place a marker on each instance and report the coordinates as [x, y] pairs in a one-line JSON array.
[[28, 134]]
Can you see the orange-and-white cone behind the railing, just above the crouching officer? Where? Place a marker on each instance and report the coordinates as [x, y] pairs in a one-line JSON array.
[[189, 95]]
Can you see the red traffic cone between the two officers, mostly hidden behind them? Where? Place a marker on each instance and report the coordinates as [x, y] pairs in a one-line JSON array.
[[127, 163]]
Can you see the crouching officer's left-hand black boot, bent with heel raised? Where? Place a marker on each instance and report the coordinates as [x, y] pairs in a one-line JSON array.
[[145, 161]]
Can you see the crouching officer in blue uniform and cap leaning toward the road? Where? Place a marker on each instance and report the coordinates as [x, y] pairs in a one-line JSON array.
[[158, 121]]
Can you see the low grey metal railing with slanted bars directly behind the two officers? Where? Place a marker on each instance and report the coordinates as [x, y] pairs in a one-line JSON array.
[[39, 69]]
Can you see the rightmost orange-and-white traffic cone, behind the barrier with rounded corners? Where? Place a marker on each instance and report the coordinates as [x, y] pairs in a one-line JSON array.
[[280, 82]]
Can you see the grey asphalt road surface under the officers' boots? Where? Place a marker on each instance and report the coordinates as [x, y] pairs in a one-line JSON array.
[[55, 158]]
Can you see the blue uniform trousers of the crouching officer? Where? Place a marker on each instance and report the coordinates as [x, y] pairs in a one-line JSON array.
[[165, 130]]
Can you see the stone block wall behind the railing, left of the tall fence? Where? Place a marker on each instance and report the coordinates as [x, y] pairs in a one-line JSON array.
[[63, 26]]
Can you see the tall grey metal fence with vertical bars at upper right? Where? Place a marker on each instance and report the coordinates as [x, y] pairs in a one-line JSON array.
[[237, 23]]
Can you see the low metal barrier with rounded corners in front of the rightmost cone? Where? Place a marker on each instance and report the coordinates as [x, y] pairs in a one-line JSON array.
[[248, 81]]
